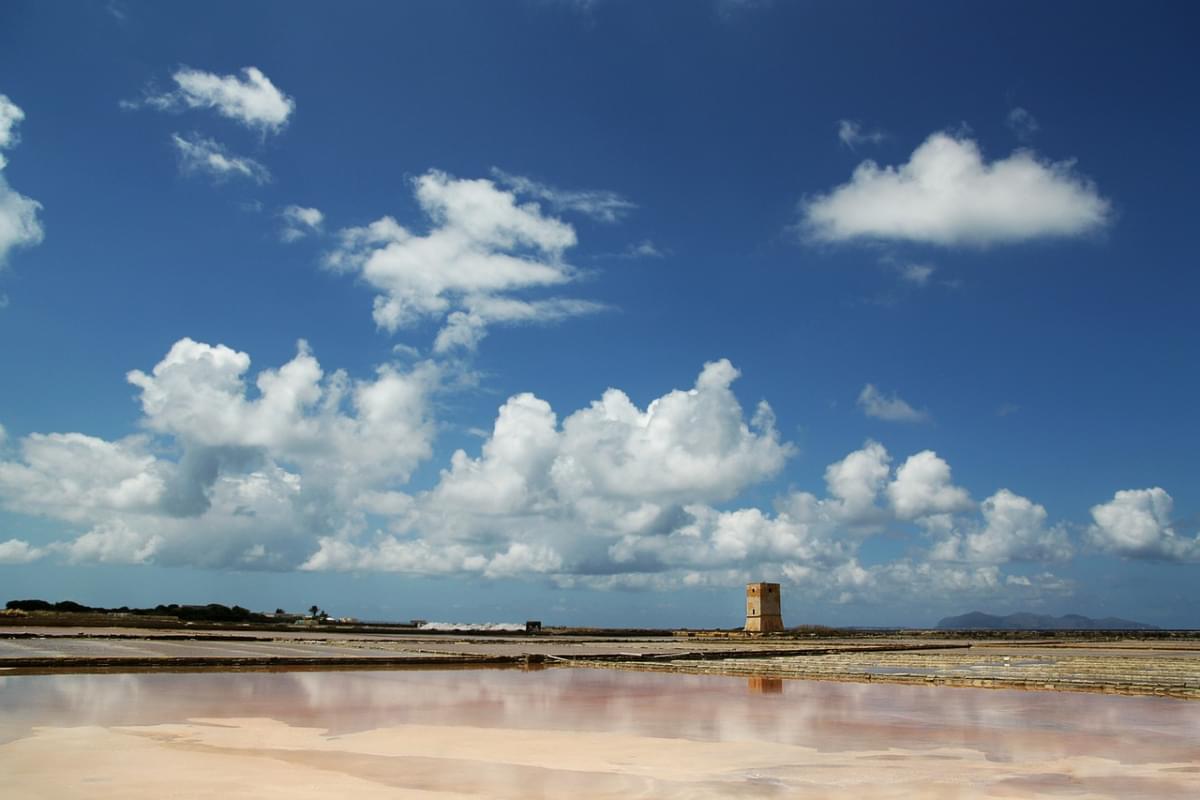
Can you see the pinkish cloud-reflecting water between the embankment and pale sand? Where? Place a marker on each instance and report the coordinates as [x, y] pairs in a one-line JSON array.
[[1007, 727]]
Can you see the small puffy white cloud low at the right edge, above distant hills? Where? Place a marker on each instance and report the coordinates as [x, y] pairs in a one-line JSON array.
[[1137, 524]]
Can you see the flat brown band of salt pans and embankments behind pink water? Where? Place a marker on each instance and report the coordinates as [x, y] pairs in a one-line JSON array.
[[1125, 665]]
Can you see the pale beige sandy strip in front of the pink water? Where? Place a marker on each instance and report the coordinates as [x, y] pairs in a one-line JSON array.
[[266, 759]]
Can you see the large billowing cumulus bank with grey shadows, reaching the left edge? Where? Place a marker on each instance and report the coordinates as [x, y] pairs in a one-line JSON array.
[[225, 477]]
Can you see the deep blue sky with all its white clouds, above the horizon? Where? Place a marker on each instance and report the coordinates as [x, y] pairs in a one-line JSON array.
[[592, 312]]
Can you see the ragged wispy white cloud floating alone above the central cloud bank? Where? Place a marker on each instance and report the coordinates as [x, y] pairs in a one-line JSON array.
[[483, 246]]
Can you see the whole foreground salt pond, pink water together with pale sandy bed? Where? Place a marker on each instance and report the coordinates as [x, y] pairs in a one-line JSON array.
[[590, 733]]
